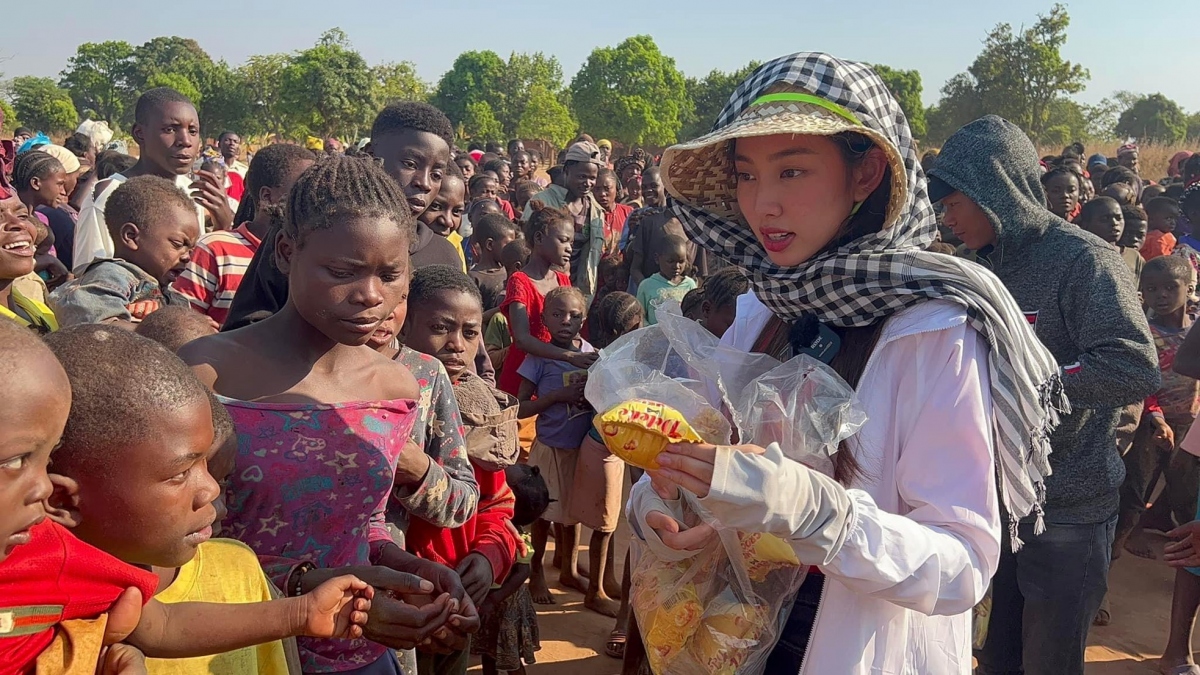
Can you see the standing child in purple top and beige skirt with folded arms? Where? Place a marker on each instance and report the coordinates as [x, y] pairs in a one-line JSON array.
[[553, 390]]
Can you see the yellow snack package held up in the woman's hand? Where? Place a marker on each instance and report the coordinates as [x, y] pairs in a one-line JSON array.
[[639, 431]]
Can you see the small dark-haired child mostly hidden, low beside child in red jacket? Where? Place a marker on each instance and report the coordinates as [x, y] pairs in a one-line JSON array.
[[508, 634]]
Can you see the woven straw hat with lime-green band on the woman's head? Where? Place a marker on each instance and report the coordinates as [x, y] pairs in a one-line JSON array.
[[701, 172]]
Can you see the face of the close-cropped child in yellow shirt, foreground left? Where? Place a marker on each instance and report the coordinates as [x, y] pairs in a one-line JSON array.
[[157, 505]]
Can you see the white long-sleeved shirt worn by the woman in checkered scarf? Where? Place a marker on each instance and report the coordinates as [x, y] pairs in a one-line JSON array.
[[923, 537]]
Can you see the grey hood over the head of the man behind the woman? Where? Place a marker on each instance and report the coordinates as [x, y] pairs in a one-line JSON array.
[[995, 165]]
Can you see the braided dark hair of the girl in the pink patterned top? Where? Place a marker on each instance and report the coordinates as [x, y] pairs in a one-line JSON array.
[[340, 187]]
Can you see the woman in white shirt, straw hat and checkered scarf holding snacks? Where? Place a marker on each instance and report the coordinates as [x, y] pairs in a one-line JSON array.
[[811, 183]]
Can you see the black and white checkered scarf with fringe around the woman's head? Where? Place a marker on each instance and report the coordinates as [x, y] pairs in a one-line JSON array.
[[874, 277]]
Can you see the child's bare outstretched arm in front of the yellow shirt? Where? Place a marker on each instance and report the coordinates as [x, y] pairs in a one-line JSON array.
[[335, 610]]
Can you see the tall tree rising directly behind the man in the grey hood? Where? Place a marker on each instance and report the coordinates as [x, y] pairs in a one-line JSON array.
[[1018, 76]]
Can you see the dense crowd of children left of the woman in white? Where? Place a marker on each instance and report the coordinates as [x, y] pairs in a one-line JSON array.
[[221, 437]]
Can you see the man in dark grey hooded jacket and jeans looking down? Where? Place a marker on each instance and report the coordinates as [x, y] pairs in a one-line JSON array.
[[1081, 298]]
